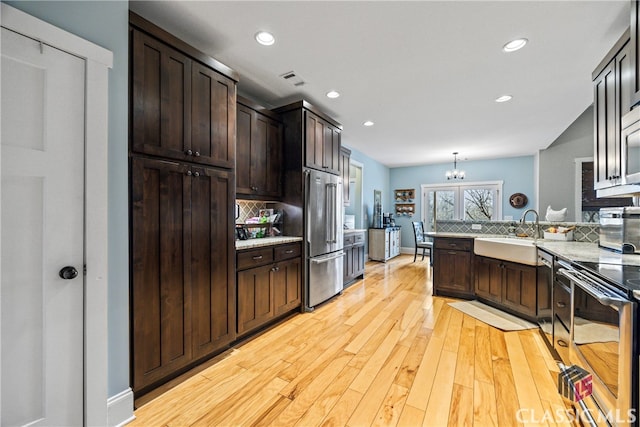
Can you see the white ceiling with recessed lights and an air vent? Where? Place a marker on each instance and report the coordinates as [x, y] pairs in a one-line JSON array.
[[426, 72]]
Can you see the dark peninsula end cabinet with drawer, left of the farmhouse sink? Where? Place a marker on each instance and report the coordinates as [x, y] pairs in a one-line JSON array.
[[453, 267]]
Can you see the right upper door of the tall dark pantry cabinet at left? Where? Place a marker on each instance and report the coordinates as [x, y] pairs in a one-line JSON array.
[[213, 117]]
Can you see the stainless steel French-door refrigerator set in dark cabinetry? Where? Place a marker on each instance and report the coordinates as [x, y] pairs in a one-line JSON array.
[[324, 236]]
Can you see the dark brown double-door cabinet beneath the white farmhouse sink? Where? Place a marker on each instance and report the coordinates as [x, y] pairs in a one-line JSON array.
[[510, 285]]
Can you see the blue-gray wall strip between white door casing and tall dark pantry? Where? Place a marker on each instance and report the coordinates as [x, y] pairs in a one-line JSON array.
[[105, 23]]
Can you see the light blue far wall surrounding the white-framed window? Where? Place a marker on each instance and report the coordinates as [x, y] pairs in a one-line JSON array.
[[517, 173]]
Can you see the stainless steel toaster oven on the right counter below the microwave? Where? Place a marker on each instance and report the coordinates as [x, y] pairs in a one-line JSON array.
[[620, 229]]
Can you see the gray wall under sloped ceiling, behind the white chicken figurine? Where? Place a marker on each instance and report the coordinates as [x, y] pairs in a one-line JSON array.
[[557, 167]]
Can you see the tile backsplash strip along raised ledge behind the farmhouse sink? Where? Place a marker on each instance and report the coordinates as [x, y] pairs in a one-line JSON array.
[[584, 232]]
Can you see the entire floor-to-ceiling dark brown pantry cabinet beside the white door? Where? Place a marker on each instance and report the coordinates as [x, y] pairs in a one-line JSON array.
[[182, 193]]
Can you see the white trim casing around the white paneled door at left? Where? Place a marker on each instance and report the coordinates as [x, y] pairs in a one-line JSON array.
[[98, 61]]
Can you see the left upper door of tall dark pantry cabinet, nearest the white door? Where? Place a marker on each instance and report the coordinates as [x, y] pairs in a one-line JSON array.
[[160, 98]]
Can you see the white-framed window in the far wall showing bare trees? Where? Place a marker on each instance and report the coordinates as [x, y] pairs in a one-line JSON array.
[[471, 201]]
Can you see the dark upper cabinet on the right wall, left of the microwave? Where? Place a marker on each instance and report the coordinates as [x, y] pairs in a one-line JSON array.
[[612, 82]]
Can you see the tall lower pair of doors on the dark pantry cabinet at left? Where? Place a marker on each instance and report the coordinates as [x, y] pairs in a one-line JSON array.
[[182, 288]]
